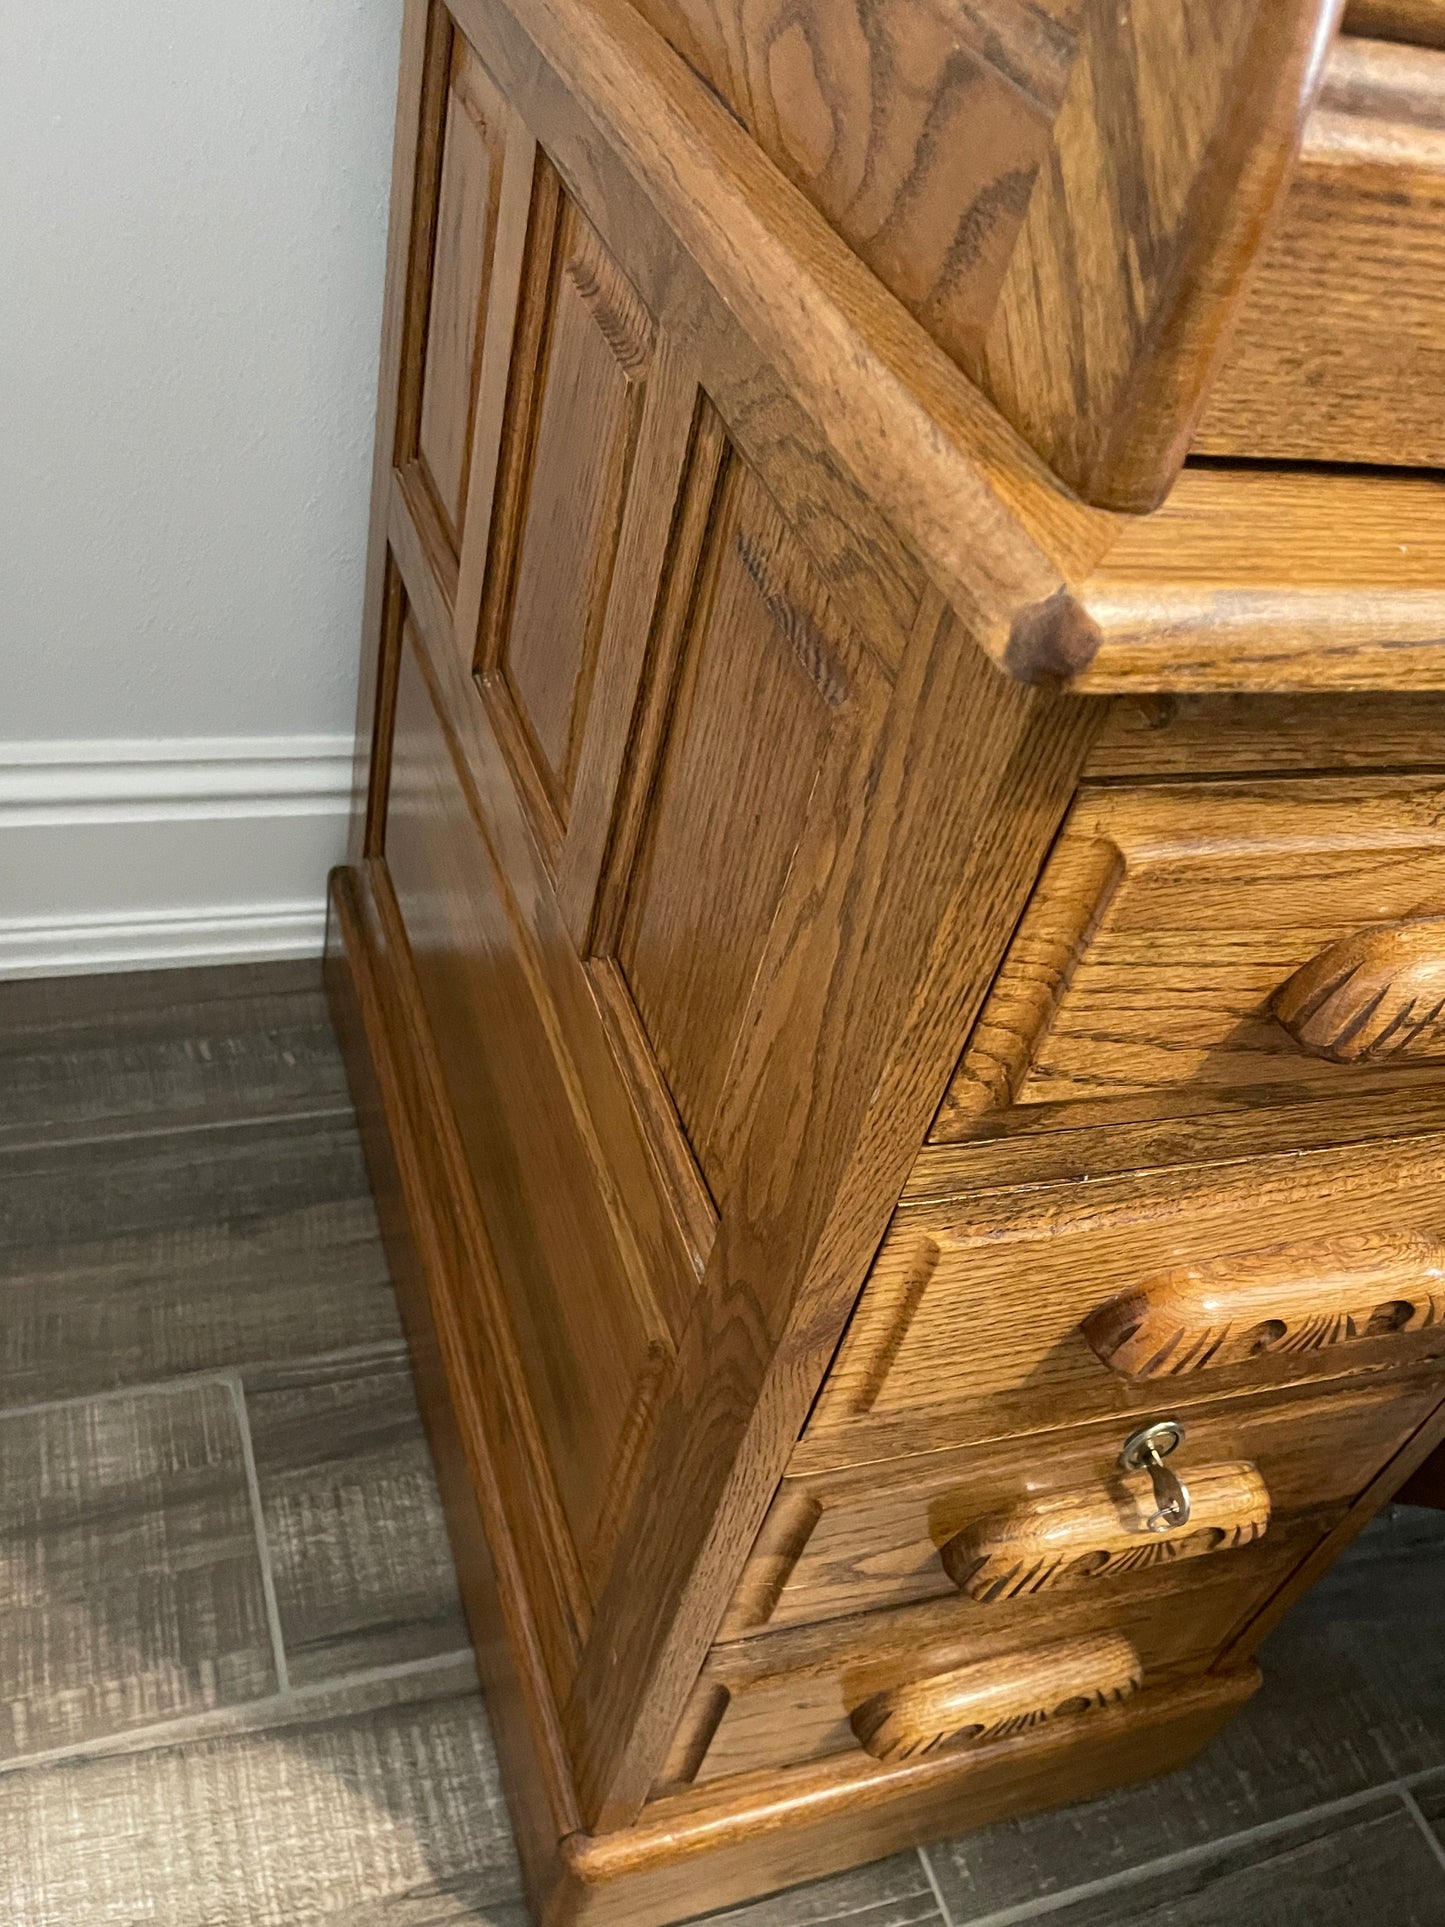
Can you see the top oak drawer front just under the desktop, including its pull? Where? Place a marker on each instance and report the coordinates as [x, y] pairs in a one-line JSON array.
[[1170, 922]]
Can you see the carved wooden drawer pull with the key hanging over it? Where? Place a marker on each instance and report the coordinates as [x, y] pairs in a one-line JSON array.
[[1097, 1531]]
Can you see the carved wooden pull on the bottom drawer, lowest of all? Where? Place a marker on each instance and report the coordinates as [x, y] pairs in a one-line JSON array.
[[997, 1699]]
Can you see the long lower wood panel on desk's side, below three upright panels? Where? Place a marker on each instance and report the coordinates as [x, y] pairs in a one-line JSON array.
[[592, 1342]]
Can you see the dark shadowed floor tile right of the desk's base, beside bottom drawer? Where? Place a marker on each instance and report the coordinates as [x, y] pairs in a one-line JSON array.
[[1353, 1697]]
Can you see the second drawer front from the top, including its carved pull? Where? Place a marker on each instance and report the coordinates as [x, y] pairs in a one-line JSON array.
[[972, 1321]]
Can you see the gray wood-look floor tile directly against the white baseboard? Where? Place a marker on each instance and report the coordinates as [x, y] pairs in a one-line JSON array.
[[88, 1057]]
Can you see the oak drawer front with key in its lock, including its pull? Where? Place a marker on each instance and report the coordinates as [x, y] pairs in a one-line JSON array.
[[876, 1537]]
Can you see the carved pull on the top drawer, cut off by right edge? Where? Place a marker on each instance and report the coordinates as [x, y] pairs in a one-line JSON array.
[[1369, 997]]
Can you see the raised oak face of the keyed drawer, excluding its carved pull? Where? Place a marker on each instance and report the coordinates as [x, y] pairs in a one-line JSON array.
[[872, 1537]]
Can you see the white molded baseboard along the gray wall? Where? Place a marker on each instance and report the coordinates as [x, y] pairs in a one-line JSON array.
[[144, 855]]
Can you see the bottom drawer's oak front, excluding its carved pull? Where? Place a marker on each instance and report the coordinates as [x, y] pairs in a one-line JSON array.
[[797, 1697]]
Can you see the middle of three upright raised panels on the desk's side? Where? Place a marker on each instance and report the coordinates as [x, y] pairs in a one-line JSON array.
[[571, 442]]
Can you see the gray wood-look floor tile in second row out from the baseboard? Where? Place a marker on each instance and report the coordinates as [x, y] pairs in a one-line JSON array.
[[155, 1257]]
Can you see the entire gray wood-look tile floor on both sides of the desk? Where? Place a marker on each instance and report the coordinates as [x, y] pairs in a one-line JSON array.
[[234, 1674]]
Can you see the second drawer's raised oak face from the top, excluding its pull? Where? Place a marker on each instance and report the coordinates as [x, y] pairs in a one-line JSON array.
[[972, 1323]]
